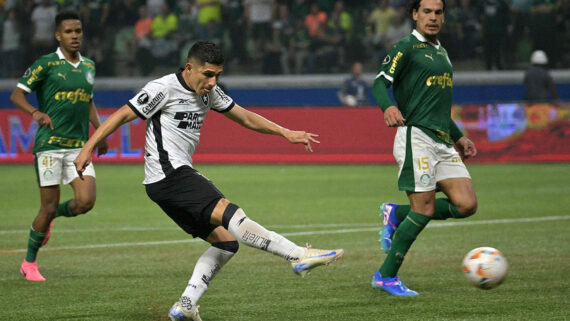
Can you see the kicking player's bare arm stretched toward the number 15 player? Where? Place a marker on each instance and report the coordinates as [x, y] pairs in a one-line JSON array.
[[256, 122]]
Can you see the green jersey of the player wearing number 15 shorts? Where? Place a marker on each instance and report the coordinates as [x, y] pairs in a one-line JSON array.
[[422, 78]]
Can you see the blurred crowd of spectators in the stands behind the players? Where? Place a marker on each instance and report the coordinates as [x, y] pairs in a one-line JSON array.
[[133, 37]]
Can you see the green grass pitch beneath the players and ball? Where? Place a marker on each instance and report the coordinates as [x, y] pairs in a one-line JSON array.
[[127, 261]]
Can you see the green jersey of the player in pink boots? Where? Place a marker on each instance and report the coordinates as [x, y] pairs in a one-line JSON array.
[[64, 92]]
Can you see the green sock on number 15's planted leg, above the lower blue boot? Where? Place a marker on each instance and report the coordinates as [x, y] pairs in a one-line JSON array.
[[403, 238]]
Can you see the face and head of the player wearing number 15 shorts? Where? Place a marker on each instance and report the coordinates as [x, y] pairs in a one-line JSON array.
[[429, 18]]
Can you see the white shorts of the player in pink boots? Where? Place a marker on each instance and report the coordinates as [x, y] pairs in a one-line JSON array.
[[55, 166]]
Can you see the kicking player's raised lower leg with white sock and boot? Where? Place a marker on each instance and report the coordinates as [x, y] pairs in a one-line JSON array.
[[303, 259]]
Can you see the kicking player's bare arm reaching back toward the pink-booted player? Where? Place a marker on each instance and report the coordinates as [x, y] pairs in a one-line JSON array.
[[121, 116]]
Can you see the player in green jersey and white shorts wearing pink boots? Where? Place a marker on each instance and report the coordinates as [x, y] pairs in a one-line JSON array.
[[63, 82]]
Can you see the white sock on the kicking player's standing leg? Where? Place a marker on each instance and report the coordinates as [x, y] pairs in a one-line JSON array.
[[206, 268]]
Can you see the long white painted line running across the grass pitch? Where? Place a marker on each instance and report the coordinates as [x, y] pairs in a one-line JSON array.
[[433, 225]]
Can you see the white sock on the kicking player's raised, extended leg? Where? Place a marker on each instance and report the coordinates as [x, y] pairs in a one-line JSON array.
[[255, 235]]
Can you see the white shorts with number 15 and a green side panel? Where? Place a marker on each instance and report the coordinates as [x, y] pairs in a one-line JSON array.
[[423, 161]]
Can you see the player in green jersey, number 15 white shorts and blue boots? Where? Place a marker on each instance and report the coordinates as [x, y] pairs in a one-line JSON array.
[[419, 70]]
